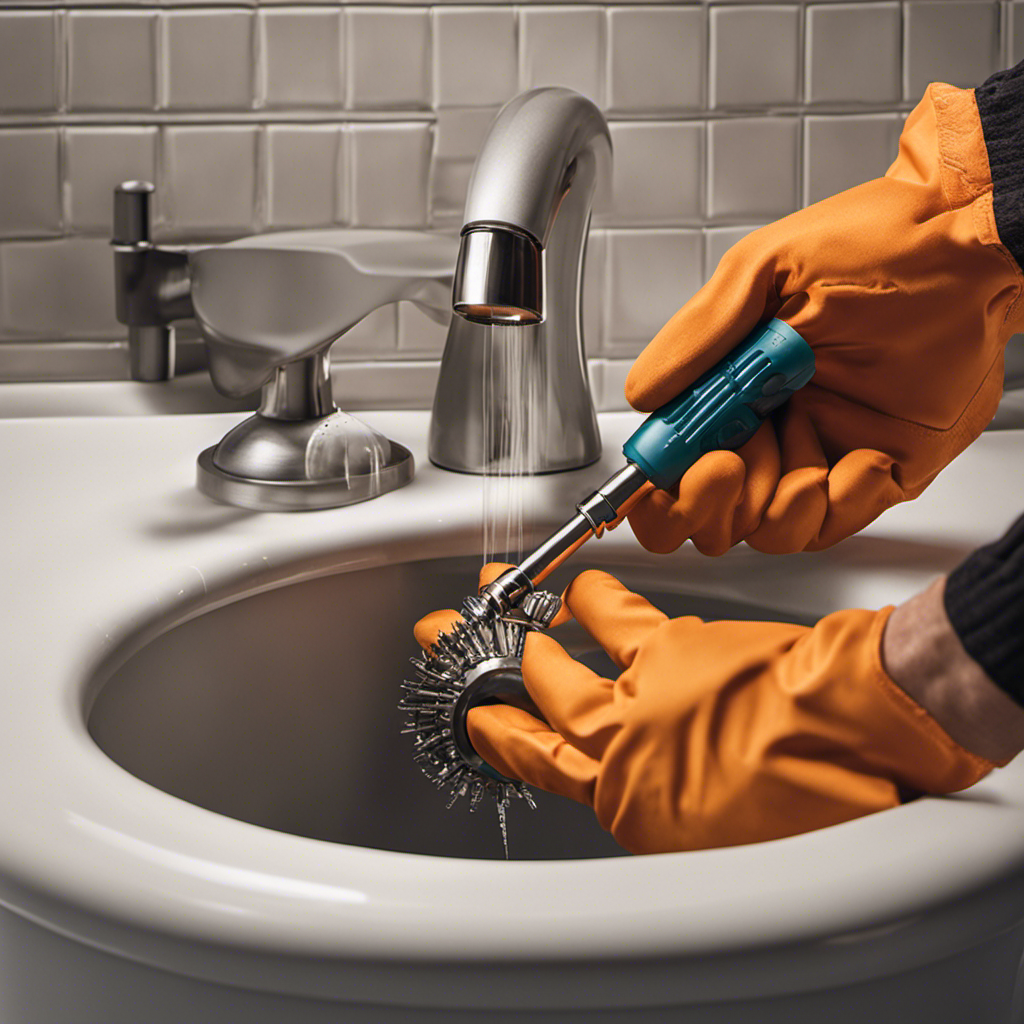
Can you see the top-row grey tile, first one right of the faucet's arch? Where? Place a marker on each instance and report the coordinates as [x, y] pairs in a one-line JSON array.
[[657, 59]]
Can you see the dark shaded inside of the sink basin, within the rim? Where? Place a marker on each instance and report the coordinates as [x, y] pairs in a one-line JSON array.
[[279, 710]]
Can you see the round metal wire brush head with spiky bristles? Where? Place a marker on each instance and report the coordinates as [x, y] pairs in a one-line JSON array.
[[480, 662]]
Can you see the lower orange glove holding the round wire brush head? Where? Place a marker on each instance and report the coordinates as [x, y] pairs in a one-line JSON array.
[[715, 734]]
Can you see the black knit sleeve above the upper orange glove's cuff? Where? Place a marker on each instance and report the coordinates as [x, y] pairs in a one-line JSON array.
[[1001, 104]]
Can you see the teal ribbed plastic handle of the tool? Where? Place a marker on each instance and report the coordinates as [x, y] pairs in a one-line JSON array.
[[726, 407]]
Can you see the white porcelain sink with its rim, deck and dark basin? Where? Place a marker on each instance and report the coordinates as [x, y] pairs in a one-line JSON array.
[[209, 813]]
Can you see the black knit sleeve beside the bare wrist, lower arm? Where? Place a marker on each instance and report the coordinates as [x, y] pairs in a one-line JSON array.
[[985, 601]]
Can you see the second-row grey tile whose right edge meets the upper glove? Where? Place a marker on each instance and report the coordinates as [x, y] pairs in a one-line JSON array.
[[843, 152]]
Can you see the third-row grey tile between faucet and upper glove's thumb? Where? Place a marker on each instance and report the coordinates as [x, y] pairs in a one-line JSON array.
[[650, 276]]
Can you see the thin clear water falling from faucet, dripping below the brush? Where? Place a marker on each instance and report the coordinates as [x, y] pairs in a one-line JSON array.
[[513, 434]]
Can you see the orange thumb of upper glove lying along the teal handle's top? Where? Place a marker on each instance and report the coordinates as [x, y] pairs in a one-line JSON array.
[[739, 296]]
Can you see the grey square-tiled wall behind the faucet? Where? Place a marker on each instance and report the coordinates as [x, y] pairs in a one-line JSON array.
[[253, 116]]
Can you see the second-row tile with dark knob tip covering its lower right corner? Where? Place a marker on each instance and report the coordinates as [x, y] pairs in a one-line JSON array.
[[96, 161]]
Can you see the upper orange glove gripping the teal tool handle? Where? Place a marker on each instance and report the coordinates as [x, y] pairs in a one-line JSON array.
[[905, 291]]
